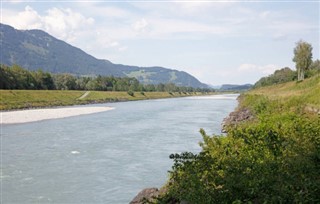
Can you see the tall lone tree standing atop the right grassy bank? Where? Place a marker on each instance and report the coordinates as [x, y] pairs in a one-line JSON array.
[[302, 58]]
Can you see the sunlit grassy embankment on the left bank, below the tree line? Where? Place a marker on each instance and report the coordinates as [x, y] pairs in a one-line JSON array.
[[20, 99]]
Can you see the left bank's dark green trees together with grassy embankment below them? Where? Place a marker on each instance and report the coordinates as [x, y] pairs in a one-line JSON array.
[[21, 89]]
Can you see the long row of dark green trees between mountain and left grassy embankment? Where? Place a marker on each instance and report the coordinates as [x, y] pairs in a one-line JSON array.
[[16, 77]]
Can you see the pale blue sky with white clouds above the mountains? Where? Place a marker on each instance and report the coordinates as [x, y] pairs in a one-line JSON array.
[[218, 42]]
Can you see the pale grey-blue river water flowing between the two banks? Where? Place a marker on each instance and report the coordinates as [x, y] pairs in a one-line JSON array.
[[105, 157]]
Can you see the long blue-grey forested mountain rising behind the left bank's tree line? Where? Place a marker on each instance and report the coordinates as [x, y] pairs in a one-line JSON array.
[[36, 49]]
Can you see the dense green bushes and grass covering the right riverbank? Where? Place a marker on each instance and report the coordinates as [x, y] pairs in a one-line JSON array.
[[275, 159]]
